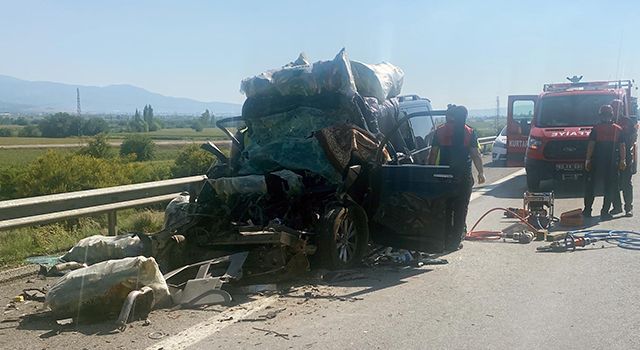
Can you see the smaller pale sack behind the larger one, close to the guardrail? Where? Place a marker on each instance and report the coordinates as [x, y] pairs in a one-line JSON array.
[[99, 248]]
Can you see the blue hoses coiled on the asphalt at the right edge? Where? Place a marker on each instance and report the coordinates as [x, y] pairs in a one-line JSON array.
[[581, 239]]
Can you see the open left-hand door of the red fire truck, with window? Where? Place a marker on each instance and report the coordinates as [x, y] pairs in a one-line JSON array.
[[520, 113]]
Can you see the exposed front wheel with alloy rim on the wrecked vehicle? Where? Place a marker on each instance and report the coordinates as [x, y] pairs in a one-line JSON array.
[[343, 238]]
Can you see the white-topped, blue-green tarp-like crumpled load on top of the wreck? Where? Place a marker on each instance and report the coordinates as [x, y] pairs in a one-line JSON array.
[[286, 108]]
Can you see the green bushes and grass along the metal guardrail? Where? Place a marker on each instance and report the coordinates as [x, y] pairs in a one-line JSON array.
[[95, 165]]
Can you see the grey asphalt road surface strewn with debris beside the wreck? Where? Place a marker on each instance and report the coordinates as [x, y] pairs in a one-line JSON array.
[[490, 295]]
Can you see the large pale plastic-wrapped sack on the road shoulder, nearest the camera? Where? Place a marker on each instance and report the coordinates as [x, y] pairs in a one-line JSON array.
[[99, 291]]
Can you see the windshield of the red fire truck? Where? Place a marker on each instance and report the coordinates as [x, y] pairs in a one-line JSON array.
[[571, 110]]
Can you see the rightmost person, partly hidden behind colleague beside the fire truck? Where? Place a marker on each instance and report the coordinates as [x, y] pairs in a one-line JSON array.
[[629, 136]]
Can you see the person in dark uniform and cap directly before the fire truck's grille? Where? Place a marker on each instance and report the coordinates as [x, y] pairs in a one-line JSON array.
[[602, 163]]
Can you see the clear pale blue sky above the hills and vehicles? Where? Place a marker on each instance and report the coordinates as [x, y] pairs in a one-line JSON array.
[[463, 52]]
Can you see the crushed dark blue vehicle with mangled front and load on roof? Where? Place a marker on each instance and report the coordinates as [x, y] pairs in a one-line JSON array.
[[322, 163]]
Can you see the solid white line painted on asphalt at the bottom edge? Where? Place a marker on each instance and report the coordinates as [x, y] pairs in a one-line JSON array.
[[204, 329]]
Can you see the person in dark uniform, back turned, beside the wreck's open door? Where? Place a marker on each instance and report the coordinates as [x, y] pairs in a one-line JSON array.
[[455, 144]]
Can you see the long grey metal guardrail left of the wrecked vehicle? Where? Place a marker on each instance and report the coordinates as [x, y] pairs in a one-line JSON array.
[[46, 209]]
